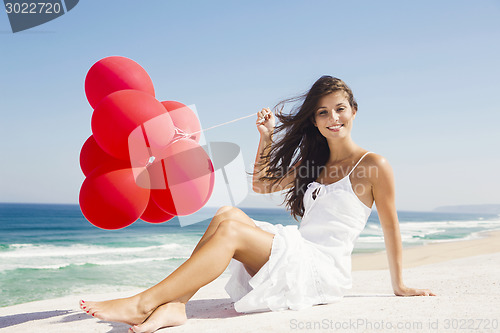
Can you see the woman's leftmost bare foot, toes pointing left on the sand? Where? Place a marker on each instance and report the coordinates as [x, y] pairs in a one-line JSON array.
[[125, 310]]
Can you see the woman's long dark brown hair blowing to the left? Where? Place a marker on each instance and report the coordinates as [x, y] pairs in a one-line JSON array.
[[301, 141]]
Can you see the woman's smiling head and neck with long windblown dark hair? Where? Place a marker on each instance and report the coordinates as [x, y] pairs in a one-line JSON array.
[[329, 106]]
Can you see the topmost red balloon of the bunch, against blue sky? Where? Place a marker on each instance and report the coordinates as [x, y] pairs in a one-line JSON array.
[[113, 74]]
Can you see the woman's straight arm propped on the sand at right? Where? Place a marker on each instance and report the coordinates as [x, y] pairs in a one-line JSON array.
[[383, 190]]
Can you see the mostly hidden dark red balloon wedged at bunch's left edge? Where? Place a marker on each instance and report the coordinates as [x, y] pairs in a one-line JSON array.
[[92, 156]]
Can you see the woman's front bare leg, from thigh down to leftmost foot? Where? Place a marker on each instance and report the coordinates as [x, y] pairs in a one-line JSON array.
[[231, 239]]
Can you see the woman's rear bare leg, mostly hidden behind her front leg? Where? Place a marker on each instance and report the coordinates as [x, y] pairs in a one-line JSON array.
[[174, 313]]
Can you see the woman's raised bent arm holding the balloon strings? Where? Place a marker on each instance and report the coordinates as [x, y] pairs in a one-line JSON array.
[[266, 129]]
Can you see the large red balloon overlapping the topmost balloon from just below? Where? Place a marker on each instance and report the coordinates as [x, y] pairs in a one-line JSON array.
[[124, 111]]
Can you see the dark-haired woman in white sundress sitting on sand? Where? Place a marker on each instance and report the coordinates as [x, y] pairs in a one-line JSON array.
[[332, 184]]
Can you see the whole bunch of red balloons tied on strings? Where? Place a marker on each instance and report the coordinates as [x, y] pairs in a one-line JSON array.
[[143, 159]]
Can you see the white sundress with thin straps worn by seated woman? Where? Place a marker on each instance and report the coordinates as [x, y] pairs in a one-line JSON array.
[[309, 264]]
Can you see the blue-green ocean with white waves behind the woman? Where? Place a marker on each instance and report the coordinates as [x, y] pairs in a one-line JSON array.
[[49, 251]]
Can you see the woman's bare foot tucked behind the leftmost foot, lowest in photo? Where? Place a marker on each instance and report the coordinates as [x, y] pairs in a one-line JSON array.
[[170, 314]]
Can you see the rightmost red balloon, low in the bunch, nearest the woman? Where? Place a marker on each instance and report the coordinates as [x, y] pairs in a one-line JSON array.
[[183, 182]]
